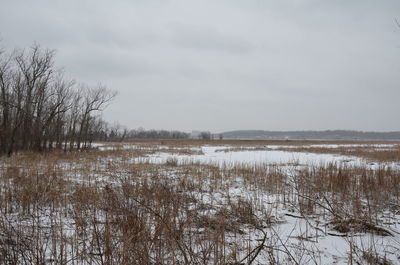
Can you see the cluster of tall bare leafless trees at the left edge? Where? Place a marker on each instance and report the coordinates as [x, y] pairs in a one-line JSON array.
[[41, 109]]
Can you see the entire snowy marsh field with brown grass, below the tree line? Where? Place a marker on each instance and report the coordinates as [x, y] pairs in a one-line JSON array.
[[197, 202]]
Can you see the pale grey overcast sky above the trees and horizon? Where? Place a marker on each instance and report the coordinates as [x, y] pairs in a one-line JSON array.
[[222, 65]]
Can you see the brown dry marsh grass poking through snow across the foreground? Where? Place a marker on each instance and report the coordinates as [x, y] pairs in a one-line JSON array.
[[100, 207]]
